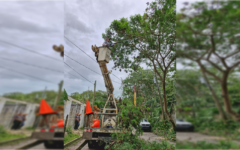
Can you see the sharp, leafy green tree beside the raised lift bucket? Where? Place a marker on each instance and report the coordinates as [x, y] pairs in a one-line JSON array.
[[148, 38]]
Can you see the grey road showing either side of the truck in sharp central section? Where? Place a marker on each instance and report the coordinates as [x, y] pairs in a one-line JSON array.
[[146, 136]]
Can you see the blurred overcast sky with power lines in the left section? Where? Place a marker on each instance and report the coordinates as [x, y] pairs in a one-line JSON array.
[[36, 25]]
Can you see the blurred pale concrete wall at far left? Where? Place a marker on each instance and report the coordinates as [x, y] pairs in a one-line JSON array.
[[9, 107]]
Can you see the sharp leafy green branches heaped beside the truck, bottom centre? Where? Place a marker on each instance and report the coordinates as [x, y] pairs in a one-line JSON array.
[[130, 117]]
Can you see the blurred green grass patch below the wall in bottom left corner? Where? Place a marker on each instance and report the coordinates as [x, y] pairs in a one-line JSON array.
[[5, 136]]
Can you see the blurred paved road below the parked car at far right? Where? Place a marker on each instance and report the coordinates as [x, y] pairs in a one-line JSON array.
[[194, 137]]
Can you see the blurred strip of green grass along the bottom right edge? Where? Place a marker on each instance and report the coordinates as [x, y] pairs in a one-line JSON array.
[[203, 145]]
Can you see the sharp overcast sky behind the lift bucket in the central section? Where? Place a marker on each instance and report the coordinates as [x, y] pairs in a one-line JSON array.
[[85, 21]]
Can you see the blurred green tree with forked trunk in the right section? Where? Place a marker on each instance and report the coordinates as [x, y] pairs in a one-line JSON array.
[[210, 38]]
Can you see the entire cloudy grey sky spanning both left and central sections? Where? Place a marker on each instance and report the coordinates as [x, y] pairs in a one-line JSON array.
[[38, 25]]
